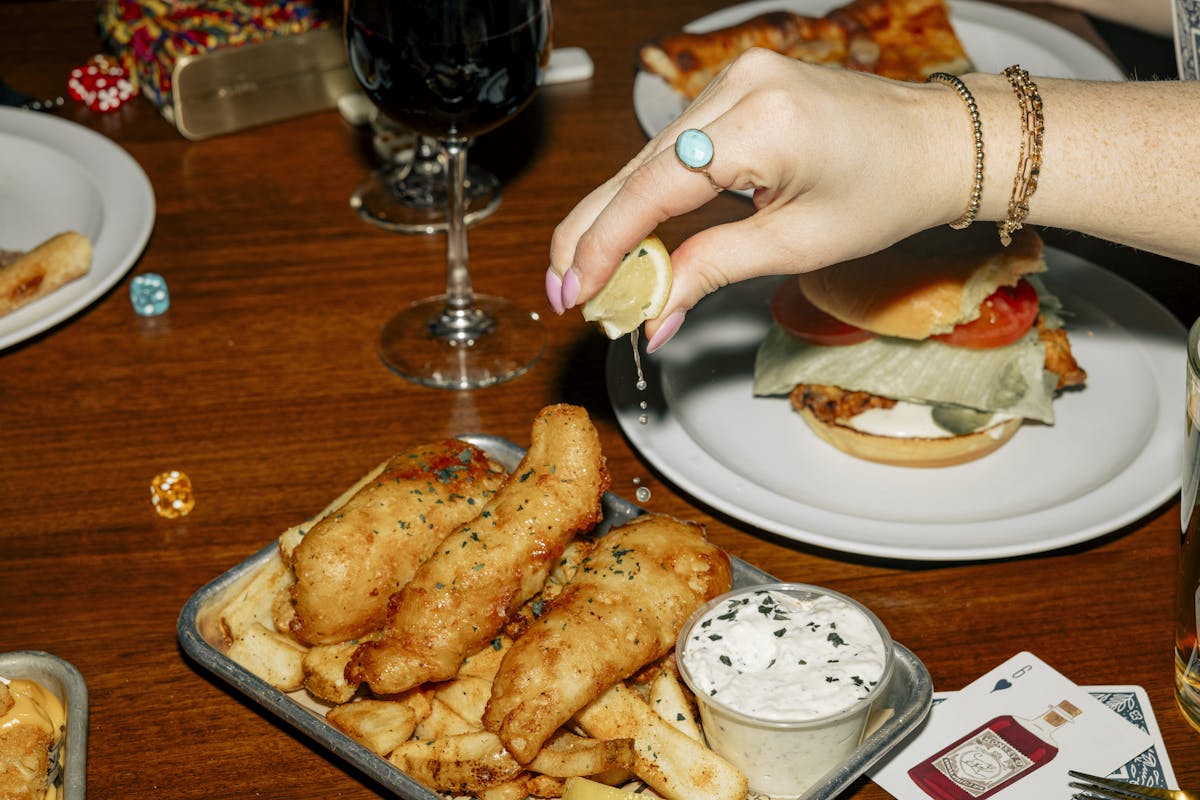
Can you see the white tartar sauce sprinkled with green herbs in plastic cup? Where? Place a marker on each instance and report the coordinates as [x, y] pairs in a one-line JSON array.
[[781, 658]]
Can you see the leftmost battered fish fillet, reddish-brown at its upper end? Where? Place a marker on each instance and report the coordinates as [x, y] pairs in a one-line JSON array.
[[356, 558]]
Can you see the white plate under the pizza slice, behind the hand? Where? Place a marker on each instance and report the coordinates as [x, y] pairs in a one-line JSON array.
[[994, 38]]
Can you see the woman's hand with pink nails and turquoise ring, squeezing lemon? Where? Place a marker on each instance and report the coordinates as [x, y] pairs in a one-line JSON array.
[[841, 165]]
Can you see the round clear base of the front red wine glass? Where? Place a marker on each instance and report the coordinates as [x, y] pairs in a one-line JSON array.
[[496, 342]]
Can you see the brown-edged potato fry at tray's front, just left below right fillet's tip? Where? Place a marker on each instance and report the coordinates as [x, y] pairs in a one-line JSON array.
[[466, 763]]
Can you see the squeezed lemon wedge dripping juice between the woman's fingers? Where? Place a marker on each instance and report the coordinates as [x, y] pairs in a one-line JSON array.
[[637, 292]]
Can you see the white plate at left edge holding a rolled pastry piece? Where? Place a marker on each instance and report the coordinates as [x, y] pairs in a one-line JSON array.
[[57, 176]]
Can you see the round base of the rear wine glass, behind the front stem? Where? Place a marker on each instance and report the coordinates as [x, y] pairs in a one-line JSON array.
[[410, 202]]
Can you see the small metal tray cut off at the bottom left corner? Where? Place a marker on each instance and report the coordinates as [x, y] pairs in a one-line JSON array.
[[64, 682]]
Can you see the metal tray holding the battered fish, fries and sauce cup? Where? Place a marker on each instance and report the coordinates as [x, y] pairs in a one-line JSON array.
[[909, 695]]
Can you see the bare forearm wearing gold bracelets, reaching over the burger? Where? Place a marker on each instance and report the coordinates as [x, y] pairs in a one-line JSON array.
[[1119, 160]]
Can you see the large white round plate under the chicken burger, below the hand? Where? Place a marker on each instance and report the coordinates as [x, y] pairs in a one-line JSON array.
[[1113, 455]]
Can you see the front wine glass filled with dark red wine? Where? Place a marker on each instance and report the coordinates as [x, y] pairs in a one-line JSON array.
[[453, 70]]
